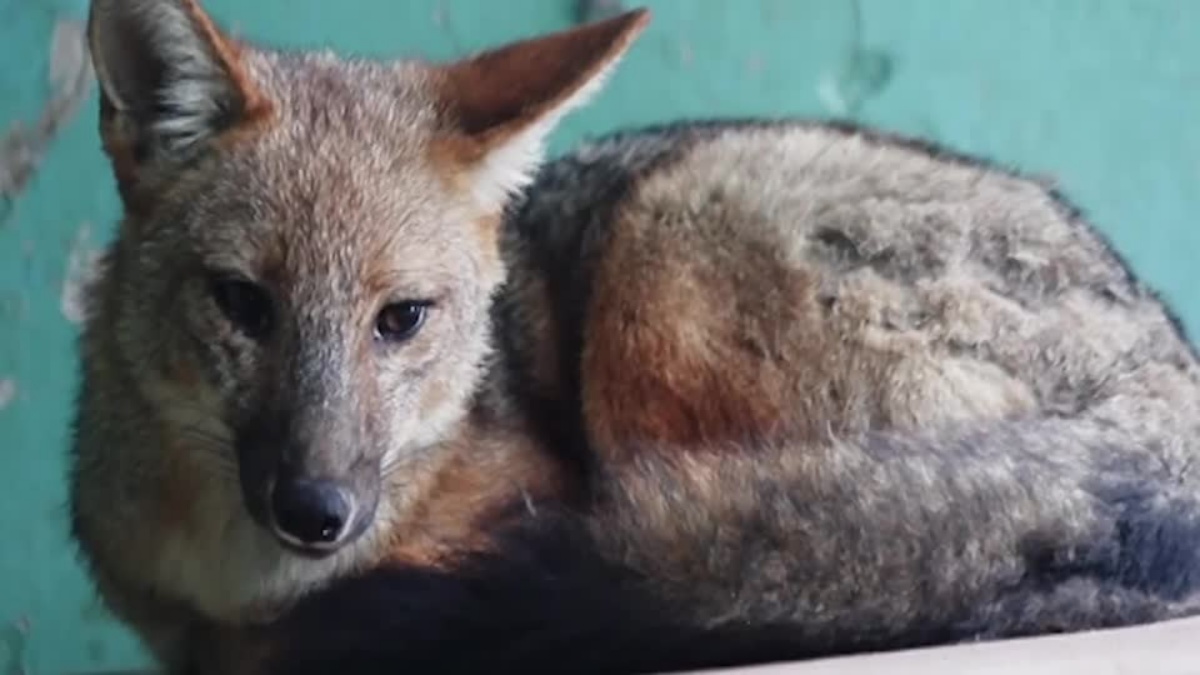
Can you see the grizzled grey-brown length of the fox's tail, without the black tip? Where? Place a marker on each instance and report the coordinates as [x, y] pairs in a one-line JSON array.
[[998, 529]]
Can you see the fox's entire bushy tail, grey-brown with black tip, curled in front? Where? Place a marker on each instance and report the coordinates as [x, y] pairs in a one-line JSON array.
[[740, 557]]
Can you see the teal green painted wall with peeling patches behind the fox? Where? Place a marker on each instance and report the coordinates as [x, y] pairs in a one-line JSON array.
[[1105, 97]]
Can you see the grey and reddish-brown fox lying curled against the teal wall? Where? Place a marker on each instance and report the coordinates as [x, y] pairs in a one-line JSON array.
[[370, 384]]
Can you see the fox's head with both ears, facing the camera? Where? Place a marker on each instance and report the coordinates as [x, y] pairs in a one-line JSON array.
[[310, 243]]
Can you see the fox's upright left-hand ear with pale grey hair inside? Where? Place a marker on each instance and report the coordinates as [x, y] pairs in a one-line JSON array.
[[170, 80]]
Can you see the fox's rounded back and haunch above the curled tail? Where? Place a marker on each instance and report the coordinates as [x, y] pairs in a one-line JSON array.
[[797, 279]]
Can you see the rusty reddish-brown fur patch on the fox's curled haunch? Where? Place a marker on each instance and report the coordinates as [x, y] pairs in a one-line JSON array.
[[723, 359]]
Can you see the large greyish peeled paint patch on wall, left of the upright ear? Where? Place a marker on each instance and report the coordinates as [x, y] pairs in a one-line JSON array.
[[22, 148]]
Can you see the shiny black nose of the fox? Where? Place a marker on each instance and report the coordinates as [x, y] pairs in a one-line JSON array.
[[311, 513]]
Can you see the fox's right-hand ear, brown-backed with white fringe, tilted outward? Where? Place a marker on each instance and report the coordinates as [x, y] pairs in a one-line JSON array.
[[500, 106]]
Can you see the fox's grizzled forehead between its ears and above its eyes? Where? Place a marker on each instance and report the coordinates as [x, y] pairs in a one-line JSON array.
[[344, 180]]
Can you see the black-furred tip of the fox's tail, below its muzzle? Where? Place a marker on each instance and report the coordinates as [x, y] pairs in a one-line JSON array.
[[549, 604]]
